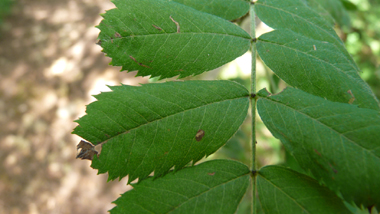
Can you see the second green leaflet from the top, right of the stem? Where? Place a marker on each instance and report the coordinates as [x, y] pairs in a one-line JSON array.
[[314, 66]]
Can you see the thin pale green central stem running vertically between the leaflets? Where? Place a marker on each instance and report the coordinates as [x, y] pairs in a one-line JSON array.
[[253, 103]]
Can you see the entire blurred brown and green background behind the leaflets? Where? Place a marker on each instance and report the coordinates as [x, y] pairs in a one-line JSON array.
[[50, 67]]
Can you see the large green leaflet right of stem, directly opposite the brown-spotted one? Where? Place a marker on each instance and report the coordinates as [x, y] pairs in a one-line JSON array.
[[338, 143]]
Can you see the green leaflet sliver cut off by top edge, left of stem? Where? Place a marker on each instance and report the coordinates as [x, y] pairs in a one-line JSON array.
[[227, 9]]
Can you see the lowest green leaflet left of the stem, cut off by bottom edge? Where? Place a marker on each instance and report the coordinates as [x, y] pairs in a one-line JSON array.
[[211, 187]]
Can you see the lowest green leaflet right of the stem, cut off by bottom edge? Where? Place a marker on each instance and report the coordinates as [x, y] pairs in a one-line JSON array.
[[282, 190]]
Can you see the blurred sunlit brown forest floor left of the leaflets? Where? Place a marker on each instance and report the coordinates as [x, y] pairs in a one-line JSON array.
[[49, 67]]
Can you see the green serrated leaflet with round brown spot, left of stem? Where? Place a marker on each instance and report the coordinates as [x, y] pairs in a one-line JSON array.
[[154, 127]]
